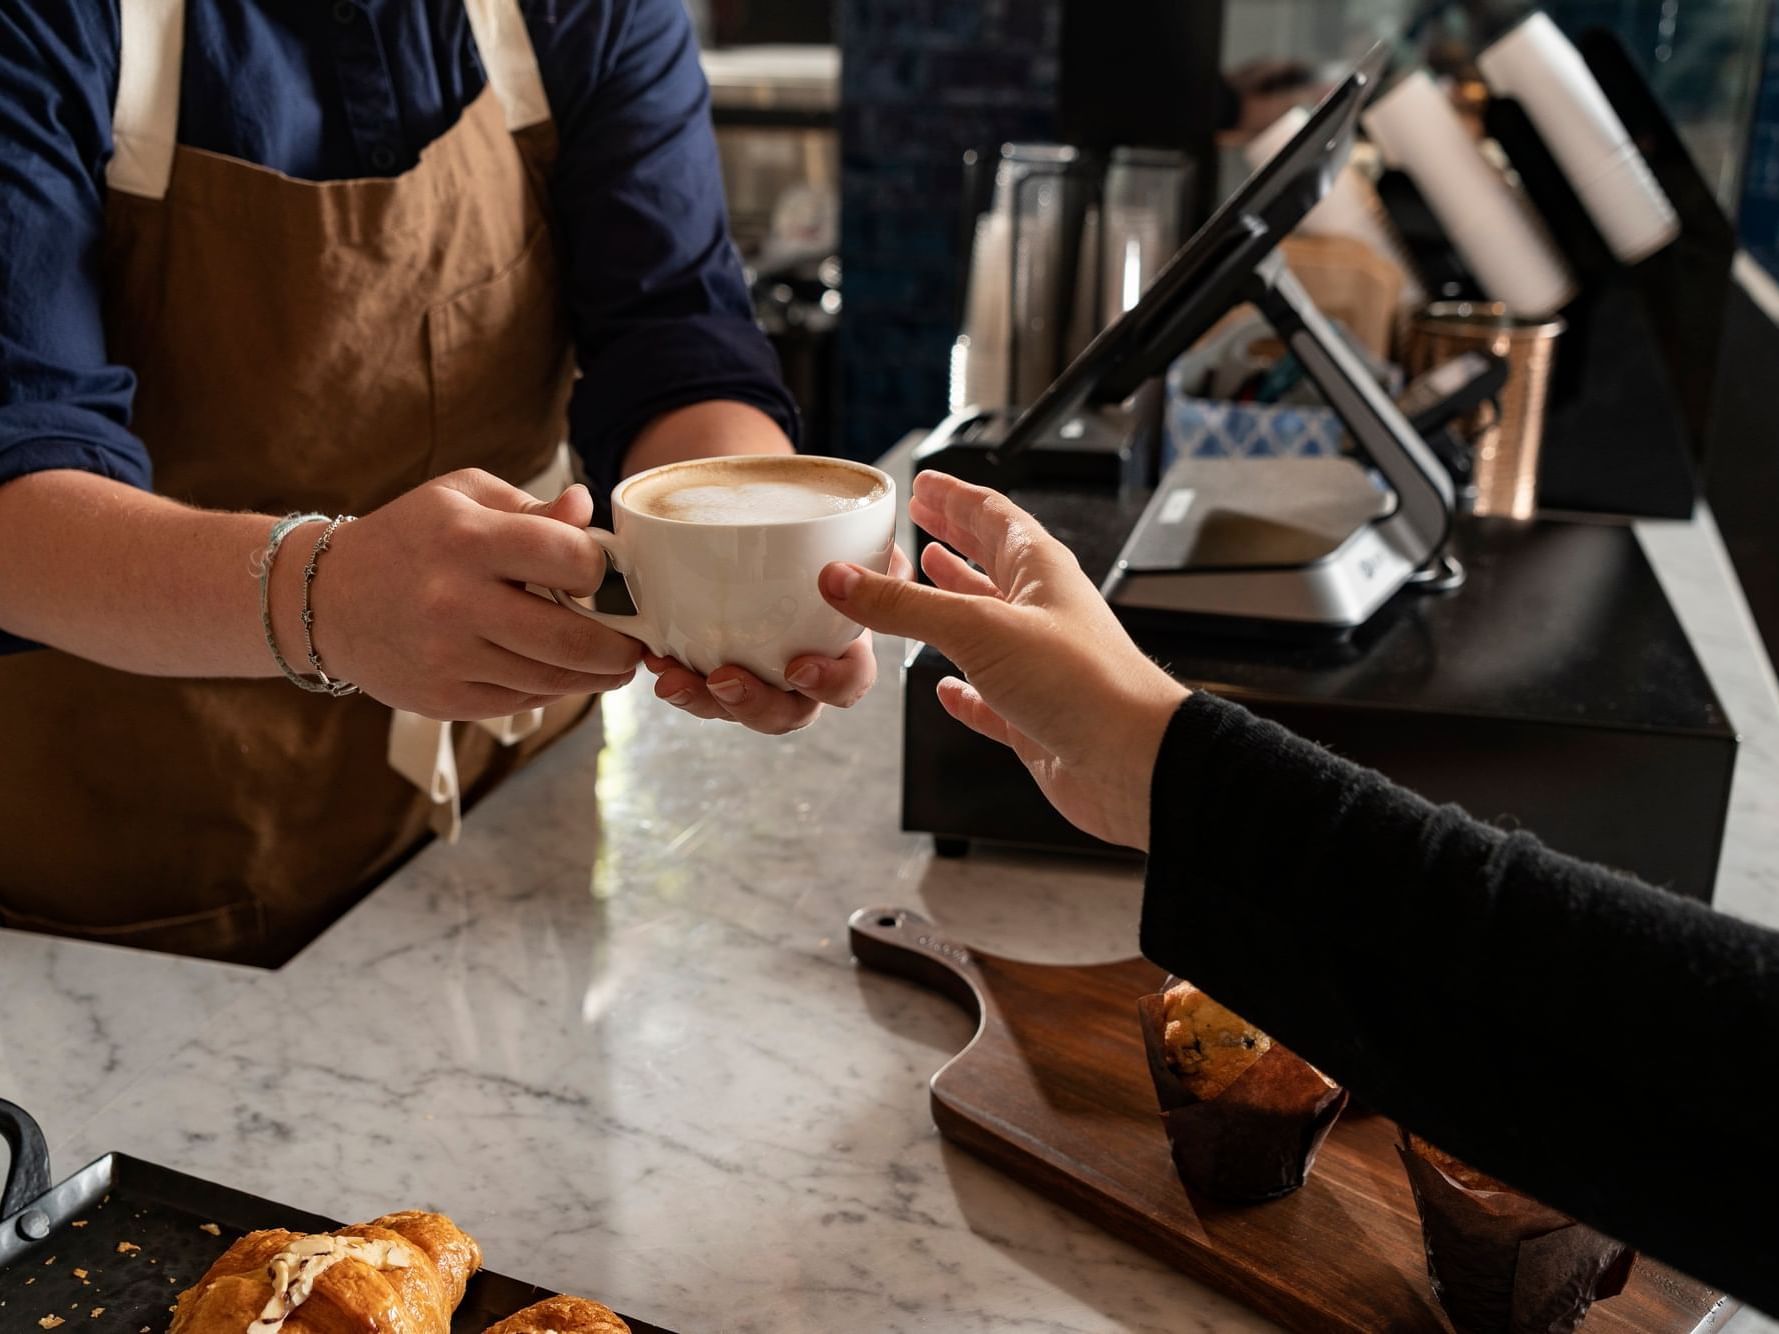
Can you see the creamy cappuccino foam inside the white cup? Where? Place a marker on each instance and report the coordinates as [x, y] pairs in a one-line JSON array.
[[753, 492]]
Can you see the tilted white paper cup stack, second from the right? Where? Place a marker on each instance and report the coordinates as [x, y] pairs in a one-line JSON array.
[[1488, 223]]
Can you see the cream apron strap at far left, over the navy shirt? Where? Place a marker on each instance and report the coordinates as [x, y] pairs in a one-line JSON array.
[[147, 115]]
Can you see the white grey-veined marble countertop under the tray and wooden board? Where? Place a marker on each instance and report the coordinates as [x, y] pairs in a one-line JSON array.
[[616, 1033]]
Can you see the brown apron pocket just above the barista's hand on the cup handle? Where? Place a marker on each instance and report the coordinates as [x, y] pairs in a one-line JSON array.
[[503, 366]]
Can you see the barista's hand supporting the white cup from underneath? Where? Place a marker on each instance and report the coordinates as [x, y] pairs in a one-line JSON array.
[[739, 696]]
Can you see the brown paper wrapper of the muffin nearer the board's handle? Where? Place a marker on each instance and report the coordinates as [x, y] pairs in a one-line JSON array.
[[1259, 1137]]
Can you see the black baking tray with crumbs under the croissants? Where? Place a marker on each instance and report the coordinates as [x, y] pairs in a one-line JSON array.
[[60, 1246]]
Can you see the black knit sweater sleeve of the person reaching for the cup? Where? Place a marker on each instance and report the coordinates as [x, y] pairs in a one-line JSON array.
[[1598, 1043]]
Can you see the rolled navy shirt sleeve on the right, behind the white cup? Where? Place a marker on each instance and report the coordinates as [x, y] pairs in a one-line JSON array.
[[656, 291]]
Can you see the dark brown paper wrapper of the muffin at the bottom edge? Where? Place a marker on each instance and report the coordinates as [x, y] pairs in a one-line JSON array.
[[1502, 1264]]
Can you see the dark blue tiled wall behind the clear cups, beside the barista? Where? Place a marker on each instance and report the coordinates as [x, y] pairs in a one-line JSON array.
[[922, 81]]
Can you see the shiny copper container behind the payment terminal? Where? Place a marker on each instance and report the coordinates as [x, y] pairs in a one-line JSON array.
[[1506, 442]]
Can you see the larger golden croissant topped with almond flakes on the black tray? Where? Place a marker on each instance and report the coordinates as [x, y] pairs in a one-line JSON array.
[[399, 1274]]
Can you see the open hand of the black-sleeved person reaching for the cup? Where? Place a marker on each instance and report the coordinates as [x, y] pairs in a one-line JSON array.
[[1050, 671]]
